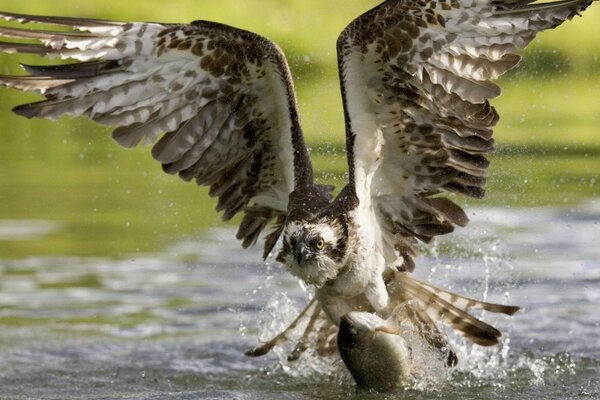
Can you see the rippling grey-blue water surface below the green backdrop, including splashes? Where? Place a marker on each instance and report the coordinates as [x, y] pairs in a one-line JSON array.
[[175, 324]]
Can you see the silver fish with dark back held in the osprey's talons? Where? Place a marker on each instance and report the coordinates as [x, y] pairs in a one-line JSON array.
[[374, 352]]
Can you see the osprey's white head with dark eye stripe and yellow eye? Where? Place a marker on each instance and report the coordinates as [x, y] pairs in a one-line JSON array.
[[314, 251]]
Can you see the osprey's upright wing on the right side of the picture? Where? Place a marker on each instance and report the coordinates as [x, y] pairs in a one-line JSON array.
[[416, 79]]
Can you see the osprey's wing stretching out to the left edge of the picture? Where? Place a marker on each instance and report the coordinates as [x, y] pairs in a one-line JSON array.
[[217, 102]]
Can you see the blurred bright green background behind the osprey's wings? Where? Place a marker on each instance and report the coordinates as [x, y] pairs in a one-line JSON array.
[[114, 202]]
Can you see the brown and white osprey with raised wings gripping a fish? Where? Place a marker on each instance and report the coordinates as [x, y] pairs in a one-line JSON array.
[[218, 105]]
